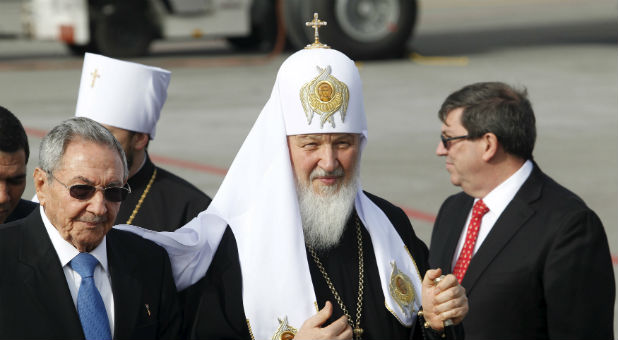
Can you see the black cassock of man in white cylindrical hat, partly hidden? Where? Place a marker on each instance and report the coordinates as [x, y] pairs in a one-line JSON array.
[[170, 203]]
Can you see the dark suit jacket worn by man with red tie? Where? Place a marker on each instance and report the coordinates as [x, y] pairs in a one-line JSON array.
[[544, 270]]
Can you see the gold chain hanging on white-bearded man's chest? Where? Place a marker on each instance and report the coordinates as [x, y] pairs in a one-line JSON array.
[[359, 302]]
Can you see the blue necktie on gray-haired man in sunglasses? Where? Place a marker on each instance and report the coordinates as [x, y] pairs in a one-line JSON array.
[[90, 305]]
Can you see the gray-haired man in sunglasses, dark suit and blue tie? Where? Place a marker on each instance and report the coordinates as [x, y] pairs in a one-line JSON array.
[[66, 273]]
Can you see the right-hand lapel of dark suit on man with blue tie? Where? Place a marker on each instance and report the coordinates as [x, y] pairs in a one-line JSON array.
[[125, 287]]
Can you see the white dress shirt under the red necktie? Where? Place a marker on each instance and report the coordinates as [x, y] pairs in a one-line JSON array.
[[496, 200]]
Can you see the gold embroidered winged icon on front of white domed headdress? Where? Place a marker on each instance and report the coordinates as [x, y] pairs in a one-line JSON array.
[[324, 95]]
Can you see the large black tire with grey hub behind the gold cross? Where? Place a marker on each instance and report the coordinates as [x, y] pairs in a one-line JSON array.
[[375, 34]]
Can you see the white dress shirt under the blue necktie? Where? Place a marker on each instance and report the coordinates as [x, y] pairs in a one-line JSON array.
[[66, 252]]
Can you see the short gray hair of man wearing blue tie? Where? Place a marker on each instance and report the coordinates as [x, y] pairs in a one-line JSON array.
[[54, 144]]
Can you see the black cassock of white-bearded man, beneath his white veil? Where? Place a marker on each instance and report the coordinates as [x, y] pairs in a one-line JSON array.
[[214, 308]]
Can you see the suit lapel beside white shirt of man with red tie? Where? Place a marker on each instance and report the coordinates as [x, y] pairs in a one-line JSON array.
[[510, 221]]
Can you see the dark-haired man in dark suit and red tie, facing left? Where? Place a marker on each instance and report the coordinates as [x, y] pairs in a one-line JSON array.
[[533, 258]]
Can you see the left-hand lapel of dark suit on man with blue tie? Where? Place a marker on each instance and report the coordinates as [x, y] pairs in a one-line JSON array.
[[44, 278]]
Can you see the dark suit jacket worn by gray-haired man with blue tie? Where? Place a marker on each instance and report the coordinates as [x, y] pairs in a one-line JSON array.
[[35, 301]]
